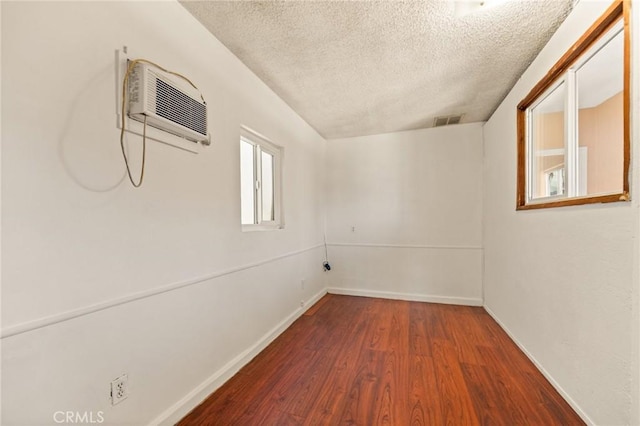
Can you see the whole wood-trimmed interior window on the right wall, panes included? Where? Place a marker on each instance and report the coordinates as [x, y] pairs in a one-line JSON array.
[[573, 127]]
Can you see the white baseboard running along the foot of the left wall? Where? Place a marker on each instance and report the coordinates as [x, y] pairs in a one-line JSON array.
[[181, 408]]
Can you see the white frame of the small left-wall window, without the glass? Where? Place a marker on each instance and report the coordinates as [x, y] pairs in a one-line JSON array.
[[262, 144]]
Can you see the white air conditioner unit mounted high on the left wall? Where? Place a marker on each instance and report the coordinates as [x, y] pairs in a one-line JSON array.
[[177, 109]]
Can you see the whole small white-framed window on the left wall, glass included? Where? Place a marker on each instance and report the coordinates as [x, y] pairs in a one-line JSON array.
[[260, 182]]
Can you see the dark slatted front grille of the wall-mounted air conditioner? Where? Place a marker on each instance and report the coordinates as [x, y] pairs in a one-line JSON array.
[[179, 108]]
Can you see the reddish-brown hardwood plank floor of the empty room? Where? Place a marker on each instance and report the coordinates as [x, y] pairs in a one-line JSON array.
[[361, 361]]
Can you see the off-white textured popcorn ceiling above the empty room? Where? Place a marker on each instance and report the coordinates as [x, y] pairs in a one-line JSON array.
[[352, 68]]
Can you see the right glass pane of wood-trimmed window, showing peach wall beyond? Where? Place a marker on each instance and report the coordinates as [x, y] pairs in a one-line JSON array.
[[600, 120]]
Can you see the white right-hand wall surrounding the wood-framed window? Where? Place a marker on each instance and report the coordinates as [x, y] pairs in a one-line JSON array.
[[564, 282]]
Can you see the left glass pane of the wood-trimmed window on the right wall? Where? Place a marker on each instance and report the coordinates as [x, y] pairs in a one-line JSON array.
[[547, 160]]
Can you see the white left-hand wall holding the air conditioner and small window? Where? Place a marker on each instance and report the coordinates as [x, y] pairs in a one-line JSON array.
[[77, 237]]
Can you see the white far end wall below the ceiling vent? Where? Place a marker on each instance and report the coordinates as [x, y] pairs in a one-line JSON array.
[[404, 214]]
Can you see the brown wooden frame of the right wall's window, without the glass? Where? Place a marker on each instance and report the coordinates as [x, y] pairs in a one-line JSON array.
[[559, 73]]
